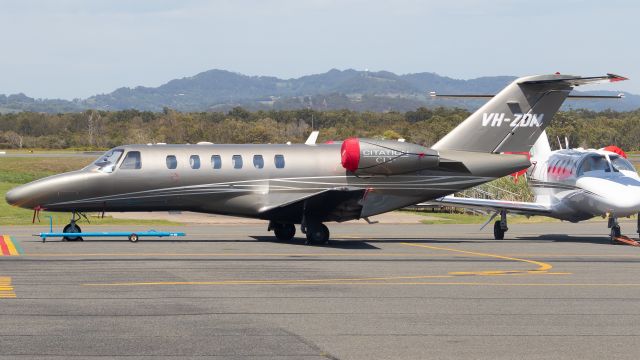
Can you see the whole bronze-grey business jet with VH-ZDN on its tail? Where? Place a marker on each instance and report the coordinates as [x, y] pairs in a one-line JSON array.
[[311, 184]]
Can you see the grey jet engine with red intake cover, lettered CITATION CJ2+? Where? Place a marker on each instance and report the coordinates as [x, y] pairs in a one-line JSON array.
[[386, 157]]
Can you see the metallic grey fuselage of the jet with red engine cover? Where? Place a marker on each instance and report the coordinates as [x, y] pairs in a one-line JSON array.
[[258, 181]]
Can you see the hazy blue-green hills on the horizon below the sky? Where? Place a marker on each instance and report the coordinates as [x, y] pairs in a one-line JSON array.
[[220, 90]]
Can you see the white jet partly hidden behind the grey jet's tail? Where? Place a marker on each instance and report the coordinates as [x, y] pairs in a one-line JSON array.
[[572, 185]]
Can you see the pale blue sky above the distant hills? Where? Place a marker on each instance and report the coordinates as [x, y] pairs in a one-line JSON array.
[[78, 48]]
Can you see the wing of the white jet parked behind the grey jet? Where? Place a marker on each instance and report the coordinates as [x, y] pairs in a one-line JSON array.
[[518, 207]]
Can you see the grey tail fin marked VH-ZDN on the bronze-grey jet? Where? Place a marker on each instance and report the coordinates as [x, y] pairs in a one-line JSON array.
[[514, 118]]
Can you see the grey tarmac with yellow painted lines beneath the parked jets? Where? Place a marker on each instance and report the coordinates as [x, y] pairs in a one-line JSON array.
[[376, 292]]
